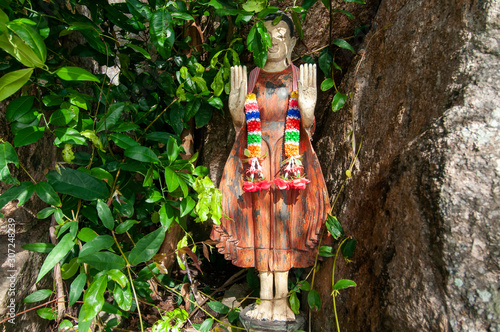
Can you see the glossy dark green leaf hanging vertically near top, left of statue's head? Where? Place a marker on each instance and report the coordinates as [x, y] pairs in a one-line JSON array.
[[161, 33]]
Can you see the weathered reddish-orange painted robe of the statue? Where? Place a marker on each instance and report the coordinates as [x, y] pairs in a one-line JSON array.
[[271, 230]]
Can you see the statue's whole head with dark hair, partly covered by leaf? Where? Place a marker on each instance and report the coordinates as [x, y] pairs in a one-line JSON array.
[[282, 37]]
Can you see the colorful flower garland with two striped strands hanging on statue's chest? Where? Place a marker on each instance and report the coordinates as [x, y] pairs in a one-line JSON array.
[[292, 178]]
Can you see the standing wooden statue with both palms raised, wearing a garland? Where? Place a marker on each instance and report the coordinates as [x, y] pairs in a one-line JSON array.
[[274, 199]]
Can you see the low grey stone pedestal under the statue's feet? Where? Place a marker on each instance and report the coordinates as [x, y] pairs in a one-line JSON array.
[[255, 325]]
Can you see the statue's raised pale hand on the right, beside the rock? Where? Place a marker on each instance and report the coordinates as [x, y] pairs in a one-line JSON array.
[[307, 94]]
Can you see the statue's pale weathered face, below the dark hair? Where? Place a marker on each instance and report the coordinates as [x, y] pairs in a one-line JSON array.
[[282, 42]]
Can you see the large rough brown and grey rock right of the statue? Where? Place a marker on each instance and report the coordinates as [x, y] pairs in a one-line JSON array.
[[424, 200]]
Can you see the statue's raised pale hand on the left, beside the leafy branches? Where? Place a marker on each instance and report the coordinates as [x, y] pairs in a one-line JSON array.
[[237, 95]]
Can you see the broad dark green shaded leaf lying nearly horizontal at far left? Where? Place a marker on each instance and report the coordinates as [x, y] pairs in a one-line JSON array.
[[78, 184]]
